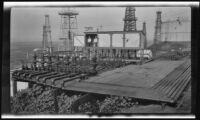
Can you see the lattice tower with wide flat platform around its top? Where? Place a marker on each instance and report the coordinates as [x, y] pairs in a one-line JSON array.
[[68, 27]]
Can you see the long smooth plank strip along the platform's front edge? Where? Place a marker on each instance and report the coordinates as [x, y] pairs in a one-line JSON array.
[[140, 93]]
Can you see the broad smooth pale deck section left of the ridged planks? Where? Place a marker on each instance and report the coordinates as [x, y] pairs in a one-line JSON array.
[[145, 75]]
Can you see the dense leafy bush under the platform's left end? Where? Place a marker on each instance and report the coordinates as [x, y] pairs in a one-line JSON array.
[[33, 101]]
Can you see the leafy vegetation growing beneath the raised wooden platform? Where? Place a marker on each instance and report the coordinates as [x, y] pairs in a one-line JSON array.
[[40, 100]]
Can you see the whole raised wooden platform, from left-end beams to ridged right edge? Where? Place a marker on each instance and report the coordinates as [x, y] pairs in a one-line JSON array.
[[156, 80]]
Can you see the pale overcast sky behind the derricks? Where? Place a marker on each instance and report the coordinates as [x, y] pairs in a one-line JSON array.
[[27, 22]]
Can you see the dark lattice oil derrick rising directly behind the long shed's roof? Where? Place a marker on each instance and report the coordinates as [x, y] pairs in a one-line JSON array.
[[130, 19]]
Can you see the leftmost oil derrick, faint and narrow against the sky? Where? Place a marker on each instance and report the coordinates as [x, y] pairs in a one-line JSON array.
[[47, 42]]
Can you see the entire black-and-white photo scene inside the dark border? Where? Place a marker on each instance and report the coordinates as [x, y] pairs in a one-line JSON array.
[[100, 58]]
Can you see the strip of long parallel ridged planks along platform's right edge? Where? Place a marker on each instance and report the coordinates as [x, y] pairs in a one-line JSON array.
[[174, 83]]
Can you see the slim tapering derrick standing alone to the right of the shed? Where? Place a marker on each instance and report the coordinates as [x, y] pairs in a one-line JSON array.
[[157, 37]]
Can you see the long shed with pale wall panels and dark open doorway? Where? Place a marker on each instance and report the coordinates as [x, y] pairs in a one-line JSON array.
[[115, 39]]
